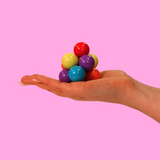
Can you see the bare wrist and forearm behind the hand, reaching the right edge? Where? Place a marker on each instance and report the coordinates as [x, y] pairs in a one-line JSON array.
[[145, 99]]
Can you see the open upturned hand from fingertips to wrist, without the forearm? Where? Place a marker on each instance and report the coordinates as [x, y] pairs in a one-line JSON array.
[[113, 86]]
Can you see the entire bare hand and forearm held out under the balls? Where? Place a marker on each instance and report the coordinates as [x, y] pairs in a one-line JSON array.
[[114, 86]]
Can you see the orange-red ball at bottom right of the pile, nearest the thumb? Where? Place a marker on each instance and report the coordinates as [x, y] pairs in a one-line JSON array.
[[93, 74]]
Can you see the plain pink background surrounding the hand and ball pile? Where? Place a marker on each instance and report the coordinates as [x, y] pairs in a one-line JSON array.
[[38, 125]]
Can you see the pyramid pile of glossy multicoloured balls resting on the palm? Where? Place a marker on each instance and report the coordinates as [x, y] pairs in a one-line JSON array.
[[80, 65]]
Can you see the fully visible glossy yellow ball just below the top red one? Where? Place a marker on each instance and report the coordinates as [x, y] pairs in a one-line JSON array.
[[69, 60]]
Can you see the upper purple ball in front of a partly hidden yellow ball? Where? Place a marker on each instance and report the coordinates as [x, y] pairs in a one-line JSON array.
[[87, 62]]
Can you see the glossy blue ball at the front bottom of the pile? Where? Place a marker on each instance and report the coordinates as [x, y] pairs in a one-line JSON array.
[[76, 73]]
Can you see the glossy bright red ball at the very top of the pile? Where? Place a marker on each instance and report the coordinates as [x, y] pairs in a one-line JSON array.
[[81, 49]]
